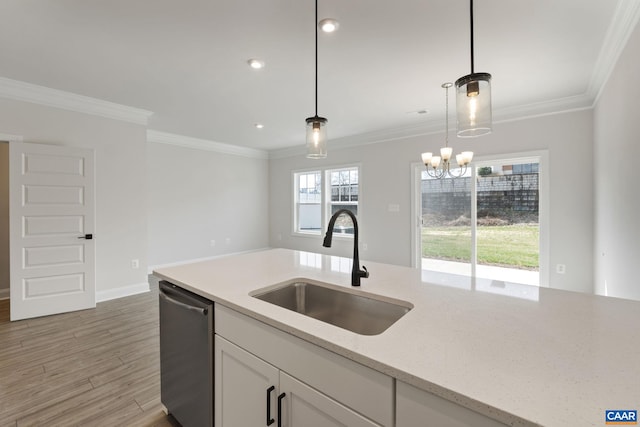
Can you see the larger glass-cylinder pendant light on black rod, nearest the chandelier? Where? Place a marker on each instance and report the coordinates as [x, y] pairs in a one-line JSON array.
[[473, 99]]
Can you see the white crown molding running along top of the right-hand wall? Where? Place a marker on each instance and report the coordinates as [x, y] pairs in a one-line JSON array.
[[625, 19]]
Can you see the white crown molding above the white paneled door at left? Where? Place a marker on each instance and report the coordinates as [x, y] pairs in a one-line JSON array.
[[27, 92]]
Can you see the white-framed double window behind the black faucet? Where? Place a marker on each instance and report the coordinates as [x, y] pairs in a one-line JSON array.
[[315, 202]]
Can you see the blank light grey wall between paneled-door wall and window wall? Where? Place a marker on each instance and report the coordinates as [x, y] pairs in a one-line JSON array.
[[196, 196]]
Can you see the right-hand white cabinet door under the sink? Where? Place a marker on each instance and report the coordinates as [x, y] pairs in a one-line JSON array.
[[304, 406]]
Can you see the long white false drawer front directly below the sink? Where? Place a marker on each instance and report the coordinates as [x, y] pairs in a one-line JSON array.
[[363, 389]]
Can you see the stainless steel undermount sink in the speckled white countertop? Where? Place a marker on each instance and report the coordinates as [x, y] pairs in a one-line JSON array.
[[362, 313]]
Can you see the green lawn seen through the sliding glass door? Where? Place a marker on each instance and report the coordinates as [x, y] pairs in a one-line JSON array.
[[513, 246]]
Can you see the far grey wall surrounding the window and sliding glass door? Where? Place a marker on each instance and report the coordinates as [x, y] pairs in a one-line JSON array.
[[386, 178]]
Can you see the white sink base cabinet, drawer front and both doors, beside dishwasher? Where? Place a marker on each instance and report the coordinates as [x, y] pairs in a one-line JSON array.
[[318, 387]]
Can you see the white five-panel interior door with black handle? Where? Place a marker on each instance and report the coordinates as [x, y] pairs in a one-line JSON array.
[[52, 217]]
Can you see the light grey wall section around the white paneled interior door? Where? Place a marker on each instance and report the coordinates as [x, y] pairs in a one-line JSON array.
[[121, 208]]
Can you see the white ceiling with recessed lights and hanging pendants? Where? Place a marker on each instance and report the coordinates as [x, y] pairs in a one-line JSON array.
[[186, 60]]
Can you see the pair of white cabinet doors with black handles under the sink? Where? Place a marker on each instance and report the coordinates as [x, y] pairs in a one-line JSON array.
[[248, 389]]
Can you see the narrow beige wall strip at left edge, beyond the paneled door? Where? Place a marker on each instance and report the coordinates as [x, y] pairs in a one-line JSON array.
[[4, 219]]
